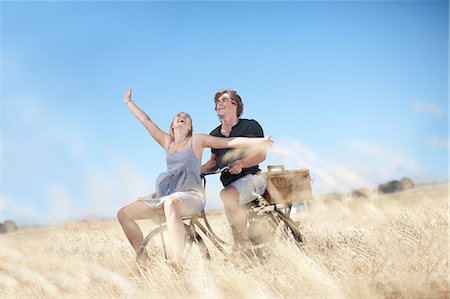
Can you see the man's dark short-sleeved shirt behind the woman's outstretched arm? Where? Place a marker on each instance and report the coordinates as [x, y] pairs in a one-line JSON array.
[[244, 128]]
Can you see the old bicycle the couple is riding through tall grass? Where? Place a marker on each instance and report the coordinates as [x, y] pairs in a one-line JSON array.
[[266, 222]]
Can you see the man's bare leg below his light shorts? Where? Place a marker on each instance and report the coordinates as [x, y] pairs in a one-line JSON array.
[[236, 214]]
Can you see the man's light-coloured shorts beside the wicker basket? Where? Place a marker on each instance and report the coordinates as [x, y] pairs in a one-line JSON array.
[[248, 186]]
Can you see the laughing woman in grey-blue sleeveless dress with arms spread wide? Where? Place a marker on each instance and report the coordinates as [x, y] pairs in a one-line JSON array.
[[178, 190]]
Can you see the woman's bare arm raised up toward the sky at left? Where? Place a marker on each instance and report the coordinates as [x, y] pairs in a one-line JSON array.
[[159, 135]]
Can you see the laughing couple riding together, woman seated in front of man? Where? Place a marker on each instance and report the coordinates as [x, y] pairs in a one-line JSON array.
[[238, 143]]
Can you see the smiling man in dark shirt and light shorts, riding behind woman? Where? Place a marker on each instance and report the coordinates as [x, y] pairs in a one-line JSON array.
[[241, 181]]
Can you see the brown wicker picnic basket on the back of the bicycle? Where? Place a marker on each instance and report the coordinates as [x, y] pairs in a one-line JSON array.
[[287, 186]]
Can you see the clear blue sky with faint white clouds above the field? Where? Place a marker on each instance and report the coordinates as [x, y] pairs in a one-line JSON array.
[[355, 91]]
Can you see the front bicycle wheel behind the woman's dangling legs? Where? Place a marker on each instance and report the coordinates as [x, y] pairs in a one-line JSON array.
[[156, 244]]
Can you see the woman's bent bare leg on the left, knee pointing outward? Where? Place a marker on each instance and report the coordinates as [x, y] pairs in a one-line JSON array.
[[127, 217]]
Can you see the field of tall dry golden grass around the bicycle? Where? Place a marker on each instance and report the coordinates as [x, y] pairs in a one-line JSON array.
[[392, 246]]
